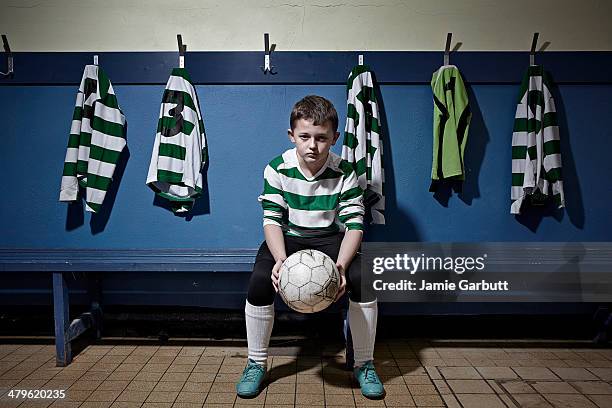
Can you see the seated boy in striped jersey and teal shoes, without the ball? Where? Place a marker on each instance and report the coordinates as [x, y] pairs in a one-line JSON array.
[[308, 190]]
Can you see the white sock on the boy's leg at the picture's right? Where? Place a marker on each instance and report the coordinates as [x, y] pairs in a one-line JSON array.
[[362, 318]]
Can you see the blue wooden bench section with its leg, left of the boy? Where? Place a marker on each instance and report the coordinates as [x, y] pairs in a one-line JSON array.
[[95, 263]]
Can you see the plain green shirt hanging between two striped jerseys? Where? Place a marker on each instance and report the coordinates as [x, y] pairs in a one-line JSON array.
[[452, 117]]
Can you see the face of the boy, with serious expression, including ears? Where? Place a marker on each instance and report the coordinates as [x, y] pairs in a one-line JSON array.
[[312, 141]]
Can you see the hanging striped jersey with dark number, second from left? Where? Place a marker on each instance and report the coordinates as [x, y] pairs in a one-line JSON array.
[[179, 151]]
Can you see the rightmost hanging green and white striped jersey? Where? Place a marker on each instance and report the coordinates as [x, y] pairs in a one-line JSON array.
[[536, 149]]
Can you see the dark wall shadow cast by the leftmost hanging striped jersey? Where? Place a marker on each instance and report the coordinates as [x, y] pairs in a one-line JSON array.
[[75, 216]]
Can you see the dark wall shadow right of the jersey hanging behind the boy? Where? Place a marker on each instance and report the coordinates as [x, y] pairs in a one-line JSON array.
[[399, 226]]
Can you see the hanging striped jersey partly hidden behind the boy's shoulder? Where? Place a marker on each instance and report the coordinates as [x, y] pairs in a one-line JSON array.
[[362, 146]]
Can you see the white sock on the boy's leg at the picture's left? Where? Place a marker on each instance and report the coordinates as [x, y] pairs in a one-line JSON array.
[[259, 321]]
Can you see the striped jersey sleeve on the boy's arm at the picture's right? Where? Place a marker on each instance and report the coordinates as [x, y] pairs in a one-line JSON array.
[[351, 207]]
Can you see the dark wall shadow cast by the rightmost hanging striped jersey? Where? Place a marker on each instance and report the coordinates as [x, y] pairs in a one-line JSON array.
[[532, 216]]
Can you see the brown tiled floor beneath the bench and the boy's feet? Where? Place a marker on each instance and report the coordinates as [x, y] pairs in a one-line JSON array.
[[415, 374]]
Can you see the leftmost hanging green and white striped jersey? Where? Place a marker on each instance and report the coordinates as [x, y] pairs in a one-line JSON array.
[[97, 137]]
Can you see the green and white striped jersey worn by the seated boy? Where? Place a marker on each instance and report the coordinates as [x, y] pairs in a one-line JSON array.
[[324, 204]]
